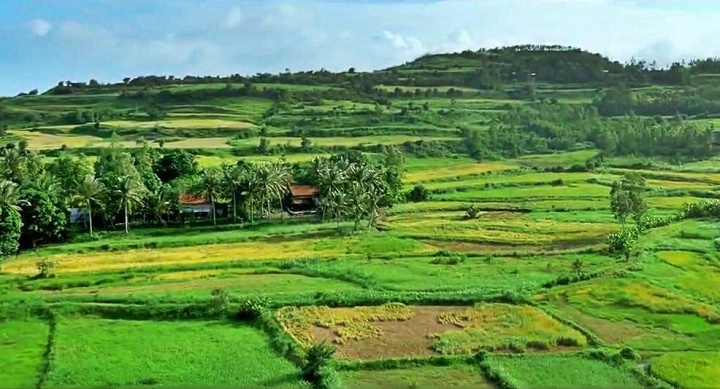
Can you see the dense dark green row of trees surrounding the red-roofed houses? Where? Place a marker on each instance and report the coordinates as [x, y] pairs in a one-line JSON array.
[[145, 185]]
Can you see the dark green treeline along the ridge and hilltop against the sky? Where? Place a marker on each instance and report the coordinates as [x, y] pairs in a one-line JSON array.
[[482, 69]]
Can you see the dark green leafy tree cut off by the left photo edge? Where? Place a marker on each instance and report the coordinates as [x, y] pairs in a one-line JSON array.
[[10, 221]]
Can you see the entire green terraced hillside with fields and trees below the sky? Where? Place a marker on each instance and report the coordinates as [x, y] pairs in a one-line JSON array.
[[531, 216]]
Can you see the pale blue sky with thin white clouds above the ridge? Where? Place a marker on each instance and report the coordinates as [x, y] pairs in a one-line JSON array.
[[46, 41]]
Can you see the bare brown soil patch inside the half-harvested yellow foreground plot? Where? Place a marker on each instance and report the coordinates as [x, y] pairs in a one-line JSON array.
[[399, 338]]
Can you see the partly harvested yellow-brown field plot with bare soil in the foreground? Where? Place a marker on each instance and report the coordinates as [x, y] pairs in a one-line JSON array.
[[395, 330]]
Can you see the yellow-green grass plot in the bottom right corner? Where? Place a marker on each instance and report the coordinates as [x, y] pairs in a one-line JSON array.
[[688, 370]]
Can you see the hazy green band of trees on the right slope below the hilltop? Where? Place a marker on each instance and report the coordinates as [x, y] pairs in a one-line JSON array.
[[546, 127]]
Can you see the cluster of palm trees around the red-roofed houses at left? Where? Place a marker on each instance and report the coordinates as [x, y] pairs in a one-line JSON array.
[[350, 188]]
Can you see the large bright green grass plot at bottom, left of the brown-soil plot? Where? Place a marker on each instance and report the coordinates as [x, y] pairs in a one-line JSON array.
[[96, 352]]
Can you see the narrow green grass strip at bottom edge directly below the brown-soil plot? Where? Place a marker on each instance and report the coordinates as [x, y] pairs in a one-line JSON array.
[[430, 377]]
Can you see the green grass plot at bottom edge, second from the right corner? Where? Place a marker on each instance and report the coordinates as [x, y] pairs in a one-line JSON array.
[[537, 371]]
